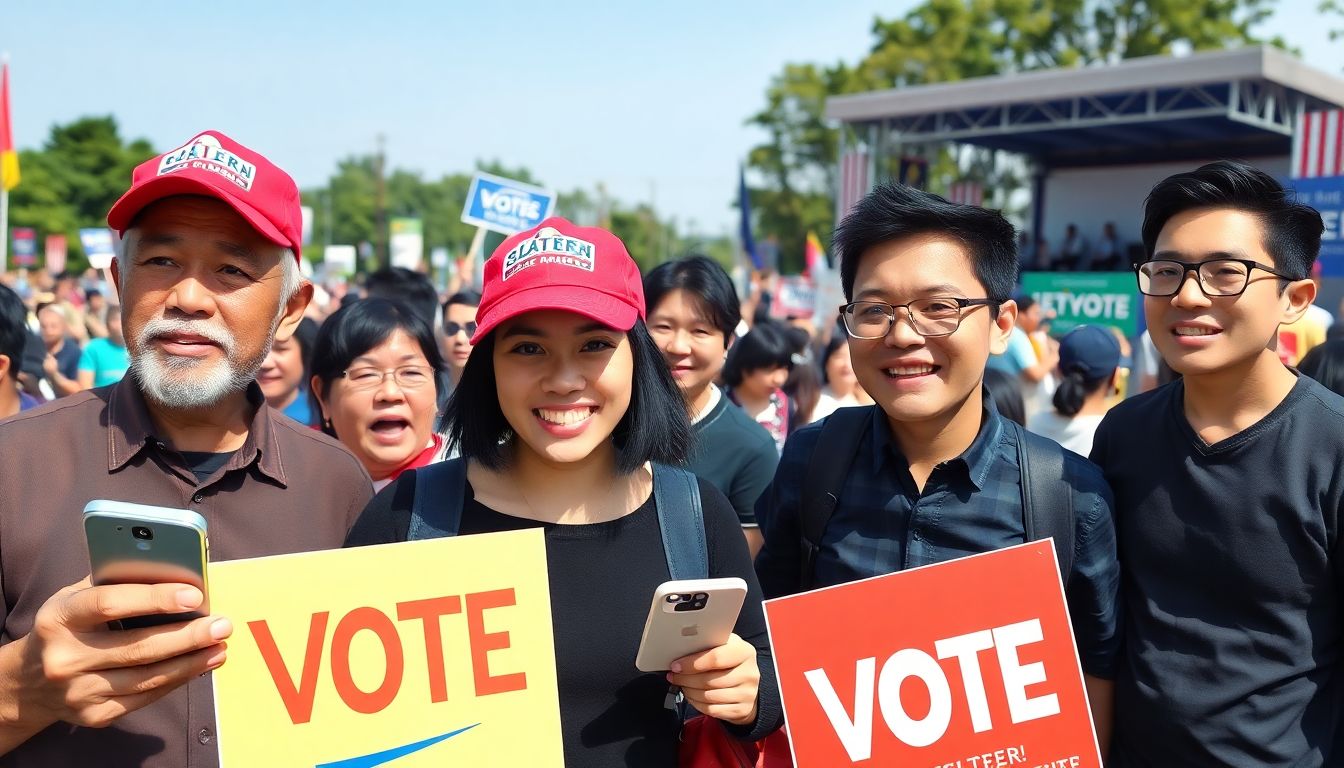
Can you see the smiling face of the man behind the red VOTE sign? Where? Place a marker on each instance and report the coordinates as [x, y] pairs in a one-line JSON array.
[[911, 377]]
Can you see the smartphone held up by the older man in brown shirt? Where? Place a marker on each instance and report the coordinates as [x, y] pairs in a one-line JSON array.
[[138, 544]]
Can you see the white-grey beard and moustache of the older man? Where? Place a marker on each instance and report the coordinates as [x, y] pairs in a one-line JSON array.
[[186, 384]]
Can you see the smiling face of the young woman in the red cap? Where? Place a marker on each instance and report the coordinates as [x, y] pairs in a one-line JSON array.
[[564, 384]]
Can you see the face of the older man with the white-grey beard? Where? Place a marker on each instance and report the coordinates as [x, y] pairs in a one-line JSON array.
[[201, 302]]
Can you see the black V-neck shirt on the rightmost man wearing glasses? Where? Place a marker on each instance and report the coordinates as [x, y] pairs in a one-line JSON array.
[[1232, 586]]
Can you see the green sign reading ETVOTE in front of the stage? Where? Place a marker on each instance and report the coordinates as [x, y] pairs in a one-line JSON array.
[[1087, 299]]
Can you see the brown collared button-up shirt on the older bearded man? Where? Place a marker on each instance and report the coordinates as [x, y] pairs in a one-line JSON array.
[[288, 489]]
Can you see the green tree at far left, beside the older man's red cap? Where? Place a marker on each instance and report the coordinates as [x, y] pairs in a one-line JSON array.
[[75, 180]]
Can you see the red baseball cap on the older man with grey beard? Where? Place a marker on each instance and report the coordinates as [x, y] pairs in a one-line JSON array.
[[216, 166]]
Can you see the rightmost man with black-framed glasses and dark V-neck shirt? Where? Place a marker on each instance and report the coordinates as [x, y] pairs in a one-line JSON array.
[[1228, 492]]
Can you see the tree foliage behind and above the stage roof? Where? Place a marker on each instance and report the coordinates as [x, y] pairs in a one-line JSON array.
[[946, 41]]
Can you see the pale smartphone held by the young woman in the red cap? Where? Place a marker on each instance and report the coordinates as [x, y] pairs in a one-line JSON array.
[[687, 618]]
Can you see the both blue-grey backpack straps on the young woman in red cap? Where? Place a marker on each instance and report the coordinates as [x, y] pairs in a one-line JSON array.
[[440, 489]]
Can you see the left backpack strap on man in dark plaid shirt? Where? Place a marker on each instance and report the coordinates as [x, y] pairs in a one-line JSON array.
[[827, 470]]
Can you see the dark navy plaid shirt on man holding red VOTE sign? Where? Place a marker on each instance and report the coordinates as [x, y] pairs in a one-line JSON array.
[[970, 505]]
